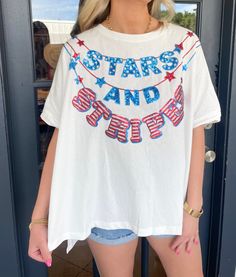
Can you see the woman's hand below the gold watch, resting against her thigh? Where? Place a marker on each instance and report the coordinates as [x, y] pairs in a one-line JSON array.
[[189, 234]]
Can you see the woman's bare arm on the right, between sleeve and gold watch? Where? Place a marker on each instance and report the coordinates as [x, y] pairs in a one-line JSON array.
[[195, 183]]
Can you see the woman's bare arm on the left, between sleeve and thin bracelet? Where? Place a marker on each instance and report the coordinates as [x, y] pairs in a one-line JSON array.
[[42, 201]]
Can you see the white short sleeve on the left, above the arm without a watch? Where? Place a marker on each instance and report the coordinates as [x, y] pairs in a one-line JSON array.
[[51, 112]]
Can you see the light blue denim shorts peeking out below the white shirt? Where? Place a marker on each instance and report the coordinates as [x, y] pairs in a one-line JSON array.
[[115, 236]]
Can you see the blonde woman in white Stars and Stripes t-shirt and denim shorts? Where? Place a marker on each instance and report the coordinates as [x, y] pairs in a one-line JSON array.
[[143, 82]]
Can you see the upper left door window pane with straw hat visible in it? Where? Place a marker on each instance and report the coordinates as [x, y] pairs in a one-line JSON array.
[[52, 24]]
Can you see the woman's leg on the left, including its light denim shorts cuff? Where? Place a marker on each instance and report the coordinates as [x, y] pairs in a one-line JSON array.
[[114, 251]]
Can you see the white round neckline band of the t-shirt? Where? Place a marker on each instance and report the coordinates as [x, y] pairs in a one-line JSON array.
[[131, 37]]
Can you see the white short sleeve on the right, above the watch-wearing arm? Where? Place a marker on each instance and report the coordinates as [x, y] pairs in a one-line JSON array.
[[204, 101]]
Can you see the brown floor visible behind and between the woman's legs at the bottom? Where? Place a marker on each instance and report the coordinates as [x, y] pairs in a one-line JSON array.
[[78, 263]]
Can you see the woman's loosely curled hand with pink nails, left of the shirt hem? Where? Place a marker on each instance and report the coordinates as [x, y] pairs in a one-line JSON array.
[[38, 249]]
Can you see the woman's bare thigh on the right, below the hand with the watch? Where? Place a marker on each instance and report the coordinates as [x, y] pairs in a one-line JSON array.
[[184, 264]]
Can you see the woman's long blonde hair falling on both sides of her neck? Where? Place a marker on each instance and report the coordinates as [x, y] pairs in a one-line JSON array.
[[93, 12]]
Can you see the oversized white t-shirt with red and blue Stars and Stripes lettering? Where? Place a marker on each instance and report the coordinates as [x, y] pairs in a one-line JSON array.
[[125, 106]]
